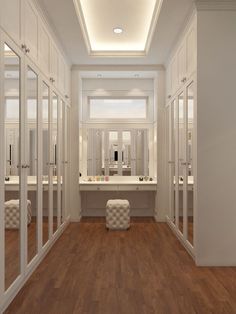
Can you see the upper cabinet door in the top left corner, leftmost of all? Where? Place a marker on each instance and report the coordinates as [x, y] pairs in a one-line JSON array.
[[10, 18]]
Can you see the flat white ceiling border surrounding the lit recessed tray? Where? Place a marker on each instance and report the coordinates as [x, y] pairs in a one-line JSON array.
[[63, 19]]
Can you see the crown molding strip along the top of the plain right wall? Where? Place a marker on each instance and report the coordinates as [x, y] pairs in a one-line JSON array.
[[215, 5]]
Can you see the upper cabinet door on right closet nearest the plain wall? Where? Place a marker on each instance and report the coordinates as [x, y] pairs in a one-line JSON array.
[[191, 50]]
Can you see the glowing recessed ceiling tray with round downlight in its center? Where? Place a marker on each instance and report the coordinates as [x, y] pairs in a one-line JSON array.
[[118, 27]]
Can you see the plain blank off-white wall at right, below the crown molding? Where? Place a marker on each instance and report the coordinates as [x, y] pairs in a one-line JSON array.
[[216, 138]]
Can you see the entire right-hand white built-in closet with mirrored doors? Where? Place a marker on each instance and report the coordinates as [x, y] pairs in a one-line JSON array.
[[181, 114]]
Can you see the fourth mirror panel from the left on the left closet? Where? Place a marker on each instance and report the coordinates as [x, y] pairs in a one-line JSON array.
[[54, 157]]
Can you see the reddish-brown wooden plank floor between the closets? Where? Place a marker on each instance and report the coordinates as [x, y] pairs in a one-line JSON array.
[[144, 270]]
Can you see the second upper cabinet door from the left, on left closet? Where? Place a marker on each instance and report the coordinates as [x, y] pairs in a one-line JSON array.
[[30, 22]]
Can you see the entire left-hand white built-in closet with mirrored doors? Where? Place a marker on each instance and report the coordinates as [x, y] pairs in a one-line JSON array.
[[34, 132]]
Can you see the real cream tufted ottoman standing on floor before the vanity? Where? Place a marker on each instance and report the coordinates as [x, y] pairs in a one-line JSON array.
[[118, 214]]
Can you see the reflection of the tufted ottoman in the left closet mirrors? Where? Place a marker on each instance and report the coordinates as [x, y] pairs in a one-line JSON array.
[[12, 214]]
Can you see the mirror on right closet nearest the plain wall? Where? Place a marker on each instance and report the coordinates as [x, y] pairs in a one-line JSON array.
[[190, 175]]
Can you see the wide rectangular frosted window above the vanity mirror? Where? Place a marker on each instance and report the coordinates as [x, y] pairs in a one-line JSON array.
[[122, 108]]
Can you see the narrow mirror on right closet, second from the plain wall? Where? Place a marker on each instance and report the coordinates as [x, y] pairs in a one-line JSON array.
[[181, 158]]
